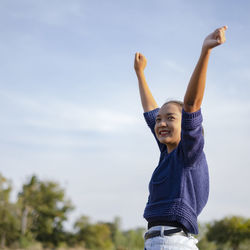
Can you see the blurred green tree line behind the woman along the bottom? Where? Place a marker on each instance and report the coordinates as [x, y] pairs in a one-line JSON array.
[[41, 209]]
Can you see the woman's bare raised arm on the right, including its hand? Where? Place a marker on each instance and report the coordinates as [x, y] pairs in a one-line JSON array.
[[195, 90]]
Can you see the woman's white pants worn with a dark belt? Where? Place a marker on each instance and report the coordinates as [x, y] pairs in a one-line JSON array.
[[172, 242]]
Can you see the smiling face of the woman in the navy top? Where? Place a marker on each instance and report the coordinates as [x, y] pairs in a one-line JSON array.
[[168, 125]]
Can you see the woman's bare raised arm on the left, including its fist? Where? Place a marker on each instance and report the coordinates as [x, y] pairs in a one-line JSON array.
[[147, 99]]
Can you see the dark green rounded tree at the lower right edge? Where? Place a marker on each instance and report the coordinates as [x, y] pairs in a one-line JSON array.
[[232, 230]]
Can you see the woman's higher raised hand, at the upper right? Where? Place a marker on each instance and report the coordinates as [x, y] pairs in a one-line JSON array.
[[214, 39]]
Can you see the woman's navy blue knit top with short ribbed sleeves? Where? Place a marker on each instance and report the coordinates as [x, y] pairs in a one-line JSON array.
[[179, 186]]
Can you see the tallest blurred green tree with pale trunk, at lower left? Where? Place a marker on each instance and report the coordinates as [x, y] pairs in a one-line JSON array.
[[44, 209]]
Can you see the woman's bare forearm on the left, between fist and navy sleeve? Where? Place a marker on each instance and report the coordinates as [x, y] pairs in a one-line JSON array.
[[147, 99]]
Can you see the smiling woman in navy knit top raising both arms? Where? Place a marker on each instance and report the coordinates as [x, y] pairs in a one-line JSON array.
[[179, 187]]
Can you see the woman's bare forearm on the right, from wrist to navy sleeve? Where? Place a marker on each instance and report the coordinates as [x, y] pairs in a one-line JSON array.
[[195, 90]]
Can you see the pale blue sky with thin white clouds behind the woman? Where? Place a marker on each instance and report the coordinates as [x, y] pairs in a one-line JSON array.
[[70, 108]]
